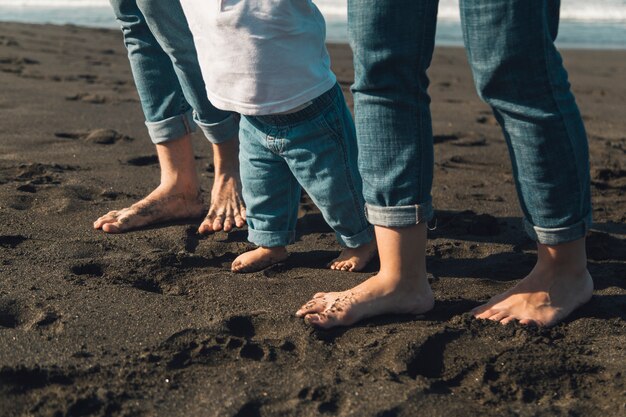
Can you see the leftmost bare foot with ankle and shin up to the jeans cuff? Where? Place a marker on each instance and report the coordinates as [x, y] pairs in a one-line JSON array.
[[177, 196]]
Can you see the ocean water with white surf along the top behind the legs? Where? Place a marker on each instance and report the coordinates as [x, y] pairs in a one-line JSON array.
[[599, 24]]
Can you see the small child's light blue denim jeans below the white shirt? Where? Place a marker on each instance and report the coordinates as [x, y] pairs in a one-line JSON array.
[[313, 148]]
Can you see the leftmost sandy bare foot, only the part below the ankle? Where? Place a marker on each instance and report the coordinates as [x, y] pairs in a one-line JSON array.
[[163, 204]]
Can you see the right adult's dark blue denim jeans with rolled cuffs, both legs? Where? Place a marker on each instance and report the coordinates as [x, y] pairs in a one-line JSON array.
[[517, 70]]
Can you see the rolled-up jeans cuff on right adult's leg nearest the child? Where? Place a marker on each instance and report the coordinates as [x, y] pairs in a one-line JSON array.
[[399, 216]]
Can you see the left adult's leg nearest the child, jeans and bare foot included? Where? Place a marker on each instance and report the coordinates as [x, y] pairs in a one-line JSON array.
[[169, 25]]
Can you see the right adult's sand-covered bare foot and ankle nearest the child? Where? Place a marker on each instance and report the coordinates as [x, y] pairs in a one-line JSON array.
[[401, 286]]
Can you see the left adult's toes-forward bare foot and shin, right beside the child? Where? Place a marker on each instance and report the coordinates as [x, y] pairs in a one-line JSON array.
[[227, 208]]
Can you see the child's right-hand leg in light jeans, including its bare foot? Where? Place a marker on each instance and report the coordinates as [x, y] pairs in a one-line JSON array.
[[321, 151]]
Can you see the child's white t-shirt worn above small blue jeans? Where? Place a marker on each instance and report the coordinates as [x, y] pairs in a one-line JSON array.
[[260, 57]]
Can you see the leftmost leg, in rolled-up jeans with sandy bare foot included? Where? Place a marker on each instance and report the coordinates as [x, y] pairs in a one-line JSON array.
[[168, 123]]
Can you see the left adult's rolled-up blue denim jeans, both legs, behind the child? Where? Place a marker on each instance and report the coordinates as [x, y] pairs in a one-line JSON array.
[[163, 60]]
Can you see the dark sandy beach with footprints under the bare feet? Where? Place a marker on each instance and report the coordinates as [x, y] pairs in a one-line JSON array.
[[152, 323]]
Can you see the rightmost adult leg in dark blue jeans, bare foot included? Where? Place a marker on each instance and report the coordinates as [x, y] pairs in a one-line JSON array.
[[521, 76]]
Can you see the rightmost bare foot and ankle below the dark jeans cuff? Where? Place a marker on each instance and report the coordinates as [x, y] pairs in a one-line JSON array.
[[558, 284]]
